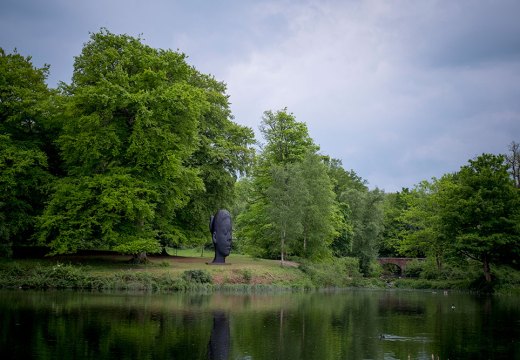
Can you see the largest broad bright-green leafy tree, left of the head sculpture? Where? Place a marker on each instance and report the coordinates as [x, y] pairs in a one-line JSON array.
[[144, 133]]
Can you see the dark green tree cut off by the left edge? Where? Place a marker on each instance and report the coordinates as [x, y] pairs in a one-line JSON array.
[[25, 128]]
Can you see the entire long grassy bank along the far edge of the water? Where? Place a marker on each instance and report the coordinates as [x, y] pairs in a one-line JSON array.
[[189, 271]]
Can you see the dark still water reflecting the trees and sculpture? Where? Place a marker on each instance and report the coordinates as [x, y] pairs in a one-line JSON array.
[[354, 324]]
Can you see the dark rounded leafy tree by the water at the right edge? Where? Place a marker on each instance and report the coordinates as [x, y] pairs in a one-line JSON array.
[[483, 213]]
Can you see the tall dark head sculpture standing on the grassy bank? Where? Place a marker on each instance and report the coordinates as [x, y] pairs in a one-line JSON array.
[[221, 235]]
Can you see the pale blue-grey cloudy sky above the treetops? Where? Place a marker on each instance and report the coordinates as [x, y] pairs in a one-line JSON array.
[[400, 91]]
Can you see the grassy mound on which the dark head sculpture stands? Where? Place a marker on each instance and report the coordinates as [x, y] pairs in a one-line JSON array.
[[170, 273]]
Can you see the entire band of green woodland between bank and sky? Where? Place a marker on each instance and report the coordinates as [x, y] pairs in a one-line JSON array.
[[138, 151]]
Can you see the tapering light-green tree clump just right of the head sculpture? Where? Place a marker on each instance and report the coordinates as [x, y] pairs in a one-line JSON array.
[[291, 208]]
